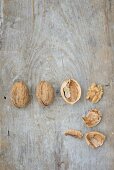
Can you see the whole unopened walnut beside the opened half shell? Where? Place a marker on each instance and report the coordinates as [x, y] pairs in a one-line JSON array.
[[45, 93]]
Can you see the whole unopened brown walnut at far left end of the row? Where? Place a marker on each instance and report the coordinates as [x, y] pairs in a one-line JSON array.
[[20, 94]]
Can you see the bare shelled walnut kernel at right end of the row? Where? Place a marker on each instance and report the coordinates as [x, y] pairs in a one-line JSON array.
[[95, 93]]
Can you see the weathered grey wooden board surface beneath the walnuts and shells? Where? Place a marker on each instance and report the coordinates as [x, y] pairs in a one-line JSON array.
[[54, 40]]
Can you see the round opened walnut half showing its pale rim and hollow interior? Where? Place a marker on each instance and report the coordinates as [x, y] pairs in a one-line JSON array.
[[70, 91]]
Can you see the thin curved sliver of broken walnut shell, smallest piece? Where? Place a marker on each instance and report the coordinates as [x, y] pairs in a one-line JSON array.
[[74, 133]]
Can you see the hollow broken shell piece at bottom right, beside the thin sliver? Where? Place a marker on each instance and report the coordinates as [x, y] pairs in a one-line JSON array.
[[94, 139]]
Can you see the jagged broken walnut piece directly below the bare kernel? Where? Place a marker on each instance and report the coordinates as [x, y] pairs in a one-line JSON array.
[[92, 118]]
